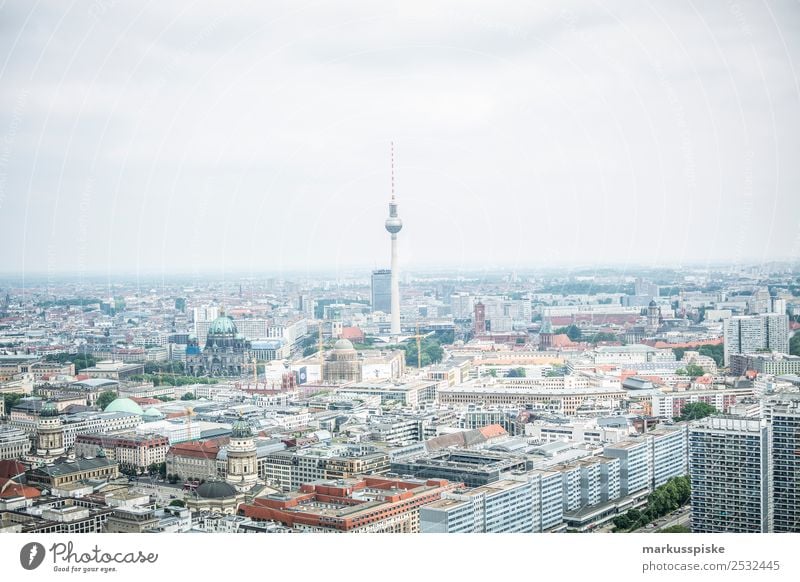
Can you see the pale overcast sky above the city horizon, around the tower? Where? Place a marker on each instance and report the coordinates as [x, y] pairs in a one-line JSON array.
[[166, 137]]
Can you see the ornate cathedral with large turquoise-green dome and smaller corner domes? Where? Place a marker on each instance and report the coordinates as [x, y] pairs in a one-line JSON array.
[[226, 352]]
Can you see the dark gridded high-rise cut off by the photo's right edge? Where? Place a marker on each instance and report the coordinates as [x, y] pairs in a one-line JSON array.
[[786, 465]]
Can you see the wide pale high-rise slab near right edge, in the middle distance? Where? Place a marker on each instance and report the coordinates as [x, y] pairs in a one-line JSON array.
[[756, 333]]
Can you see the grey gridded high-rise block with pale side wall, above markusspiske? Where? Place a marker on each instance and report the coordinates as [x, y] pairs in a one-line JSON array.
[[730, 475]]
